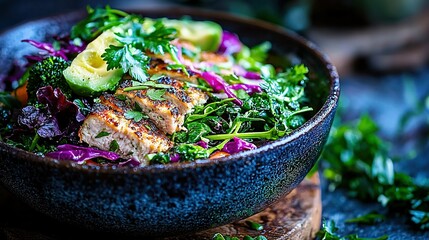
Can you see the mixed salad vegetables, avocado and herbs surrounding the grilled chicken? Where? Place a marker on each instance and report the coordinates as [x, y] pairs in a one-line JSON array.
[[249, 100]]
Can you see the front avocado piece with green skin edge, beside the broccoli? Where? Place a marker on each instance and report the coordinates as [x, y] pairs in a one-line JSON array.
[[88, 75]]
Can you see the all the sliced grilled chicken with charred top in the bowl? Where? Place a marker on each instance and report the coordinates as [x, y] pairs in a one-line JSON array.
[[149, 135]]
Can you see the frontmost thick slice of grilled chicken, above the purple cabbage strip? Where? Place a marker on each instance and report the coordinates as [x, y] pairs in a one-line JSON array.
[[134, 139]]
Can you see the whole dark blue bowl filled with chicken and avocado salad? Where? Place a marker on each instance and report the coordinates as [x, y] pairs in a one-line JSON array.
[[161, 122]]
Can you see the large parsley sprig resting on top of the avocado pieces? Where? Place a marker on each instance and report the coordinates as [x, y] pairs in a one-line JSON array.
[[134, 44]]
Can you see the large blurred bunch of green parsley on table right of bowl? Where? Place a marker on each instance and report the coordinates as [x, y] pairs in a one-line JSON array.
[[357, 160]]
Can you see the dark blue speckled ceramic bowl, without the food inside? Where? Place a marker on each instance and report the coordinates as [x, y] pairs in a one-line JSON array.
[[177, 198]]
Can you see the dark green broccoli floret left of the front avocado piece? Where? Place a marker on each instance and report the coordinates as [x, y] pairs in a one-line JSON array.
[[48, 72]]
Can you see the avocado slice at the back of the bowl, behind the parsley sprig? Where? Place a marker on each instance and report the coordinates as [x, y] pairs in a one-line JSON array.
[[206, 35]]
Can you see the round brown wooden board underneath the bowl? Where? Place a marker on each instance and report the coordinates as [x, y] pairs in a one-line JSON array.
[[296, 217]]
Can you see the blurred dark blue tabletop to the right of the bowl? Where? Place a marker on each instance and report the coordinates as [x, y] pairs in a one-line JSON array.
[[387, 98]]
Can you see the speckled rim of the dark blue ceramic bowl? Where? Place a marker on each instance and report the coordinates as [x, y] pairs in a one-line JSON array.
[[328, 106]]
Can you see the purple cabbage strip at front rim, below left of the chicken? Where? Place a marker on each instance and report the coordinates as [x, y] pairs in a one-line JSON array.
[[81, 154]]
